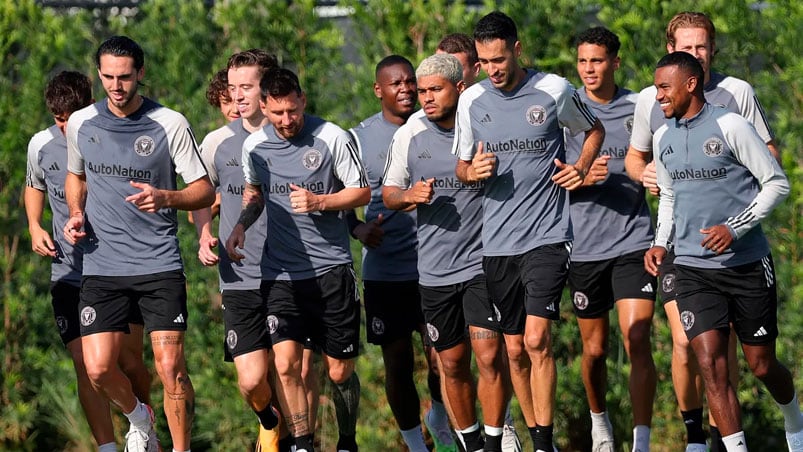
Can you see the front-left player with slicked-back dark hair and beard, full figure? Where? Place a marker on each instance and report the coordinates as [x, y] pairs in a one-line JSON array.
[[123, 156]]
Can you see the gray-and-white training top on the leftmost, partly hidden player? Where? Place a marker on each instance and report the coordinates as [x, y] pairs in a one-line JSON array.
[[47, 168]]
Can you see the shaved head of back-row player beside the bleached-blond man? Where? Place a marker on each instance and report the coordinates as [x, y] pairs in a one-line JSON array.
[[395, 87]]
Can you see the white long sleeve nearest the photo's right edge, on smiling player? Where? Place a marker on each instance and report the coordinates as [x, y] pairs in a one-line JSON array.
[[749, 149]]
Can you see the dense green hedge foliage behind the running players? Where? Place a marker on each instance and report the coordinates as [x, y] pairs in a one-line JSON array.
[[186, 42]]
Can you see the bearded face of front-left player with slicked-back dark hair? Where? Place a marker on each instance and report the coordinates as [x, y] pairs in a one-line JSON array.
[[120, 80]]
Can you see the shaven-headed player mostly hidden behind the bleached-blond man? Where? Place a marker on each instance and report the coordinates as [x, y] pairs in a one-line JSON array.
[[390, 276]]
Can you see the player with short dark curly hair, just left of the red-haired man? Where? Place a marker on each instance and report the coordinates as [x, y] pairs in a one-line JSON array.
[[612, 231]]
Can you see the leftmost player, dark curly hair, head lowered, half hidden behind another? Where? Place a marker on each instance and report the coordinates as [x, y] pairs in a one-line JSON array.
[[66, 93]]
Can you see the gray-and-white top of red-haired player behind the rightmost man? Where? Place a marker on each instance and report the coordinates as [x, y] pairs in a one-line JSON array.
[[732, 93]]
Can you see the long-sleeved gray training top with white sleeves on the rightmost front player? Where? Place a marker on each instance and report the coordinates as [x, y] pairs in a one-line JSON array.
[[715, 169]]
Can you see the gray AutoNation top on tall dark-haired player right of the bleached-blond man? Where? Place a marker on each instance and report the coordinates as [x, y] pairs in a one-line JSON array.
[[523, 208]]
